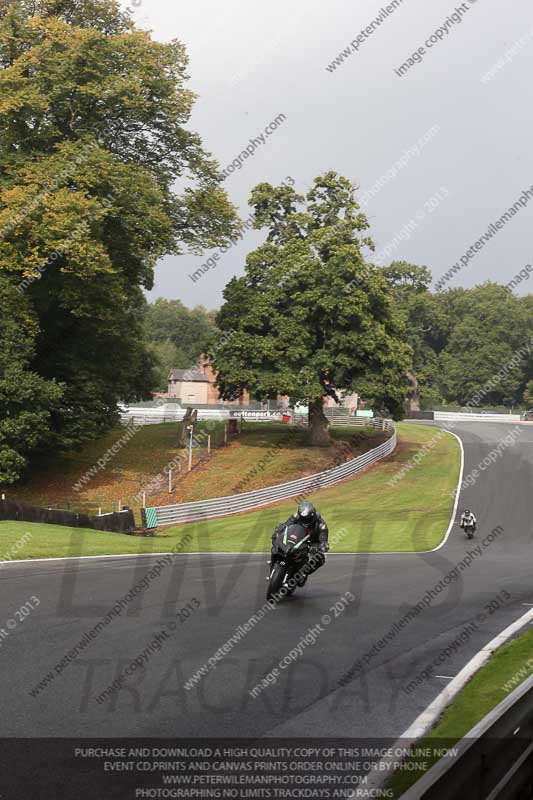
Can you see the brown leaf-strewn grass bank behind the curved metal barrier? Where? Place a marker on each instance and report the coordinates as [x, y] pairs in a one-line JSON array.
[[139, 465]]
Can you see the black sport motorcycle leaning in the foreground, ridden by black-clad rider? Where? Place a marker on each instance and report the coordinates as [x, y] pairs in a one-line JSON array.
[[290, 552]]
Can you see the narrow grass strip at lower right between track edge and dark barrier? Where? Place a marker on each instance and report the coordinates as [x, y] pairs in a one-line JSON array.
[[480, 696]]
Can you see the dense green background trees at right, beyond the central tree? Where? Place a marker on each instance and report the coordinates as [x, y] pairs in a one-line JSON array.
[[463, 338]]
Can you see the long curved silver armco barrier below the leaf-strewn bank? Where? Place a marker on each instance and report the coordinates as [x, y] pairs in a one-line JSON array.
[[234, 504]]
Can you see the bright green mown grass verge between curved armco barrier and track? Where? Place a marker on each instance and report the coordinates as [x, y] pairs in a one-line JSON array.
[[365, 513]]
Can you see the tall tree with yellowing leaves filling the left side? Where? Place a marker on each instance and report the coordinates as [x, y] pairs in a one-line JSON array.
[[93, 137]]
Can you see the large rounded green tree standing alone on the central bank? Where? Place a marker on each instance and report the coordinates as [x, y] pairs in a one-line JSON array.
[[310, 317]]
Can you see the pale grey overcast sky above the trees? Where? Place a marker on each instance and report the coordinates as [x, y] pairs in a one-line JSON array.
[[251, 61]]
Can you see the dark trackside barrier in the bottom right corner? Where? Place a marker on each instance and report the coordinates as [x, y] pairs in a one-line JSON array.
[[494, 761]]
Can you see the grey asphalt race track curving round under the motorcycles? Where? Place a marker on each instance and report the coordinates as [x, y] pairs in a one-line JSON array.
[[308, 699]]
